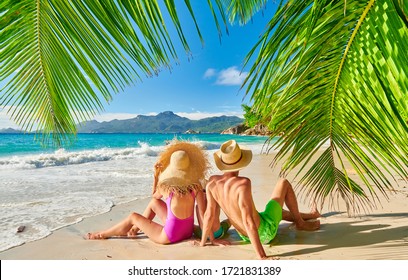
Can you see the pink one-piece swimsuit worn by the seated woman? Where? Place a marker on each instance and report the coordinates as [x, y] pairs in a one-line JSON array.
[[178, 229]]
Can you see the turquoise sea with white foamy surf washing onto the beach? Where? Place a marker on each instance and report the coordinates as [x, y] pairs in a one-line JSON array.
[[46, 189]]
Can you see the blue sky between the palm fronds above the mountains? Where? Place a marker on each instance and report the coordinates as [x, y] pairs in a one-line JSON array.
[[208, 84]]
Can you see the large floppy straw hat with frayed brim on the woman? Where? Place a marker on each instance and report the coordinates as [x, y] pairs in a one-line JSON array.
[[184, 166]]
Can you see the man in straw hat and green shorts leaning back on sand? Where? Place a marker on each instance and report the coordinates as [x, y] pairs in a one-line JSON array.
[[233, 194]]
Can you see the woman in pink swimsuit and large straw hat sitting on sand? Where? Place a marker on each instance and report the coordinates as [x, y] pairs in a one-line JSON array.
[[178, 178]]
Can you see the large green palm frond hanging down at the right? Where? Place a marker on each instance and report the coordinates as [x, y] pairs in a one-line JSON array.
[[335, 73]]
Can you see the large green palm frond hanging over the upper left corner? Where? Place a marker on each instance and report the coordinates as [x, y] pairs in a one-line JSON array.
[[61, 58]]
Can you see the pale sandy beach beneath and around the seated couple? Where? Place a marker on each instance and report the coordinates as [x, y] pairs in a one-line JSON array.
[[380, 234]]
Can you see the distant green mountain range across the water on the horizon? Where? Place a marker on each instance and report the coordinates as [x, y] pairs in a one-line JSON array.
[[166, 122]]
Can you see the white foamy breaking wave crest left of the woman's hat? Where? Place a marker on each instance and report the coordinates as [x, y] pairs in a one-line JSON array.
[[62, 157]]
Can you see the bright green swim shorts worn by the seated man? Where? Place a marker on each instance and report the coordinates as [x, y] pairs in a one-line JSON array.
[[270, 219]]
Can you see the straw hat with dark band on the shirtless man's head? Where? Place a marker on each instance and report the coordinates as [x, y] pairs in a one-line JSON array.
[[232, 157]]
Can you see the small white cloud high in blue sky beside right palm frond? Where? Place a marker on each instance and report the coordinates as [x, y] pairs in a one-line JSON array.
[[226, 77]]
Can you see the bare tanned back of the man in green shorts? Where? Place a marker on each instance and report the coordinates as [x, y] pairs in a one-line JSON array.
[[233, 194]]
